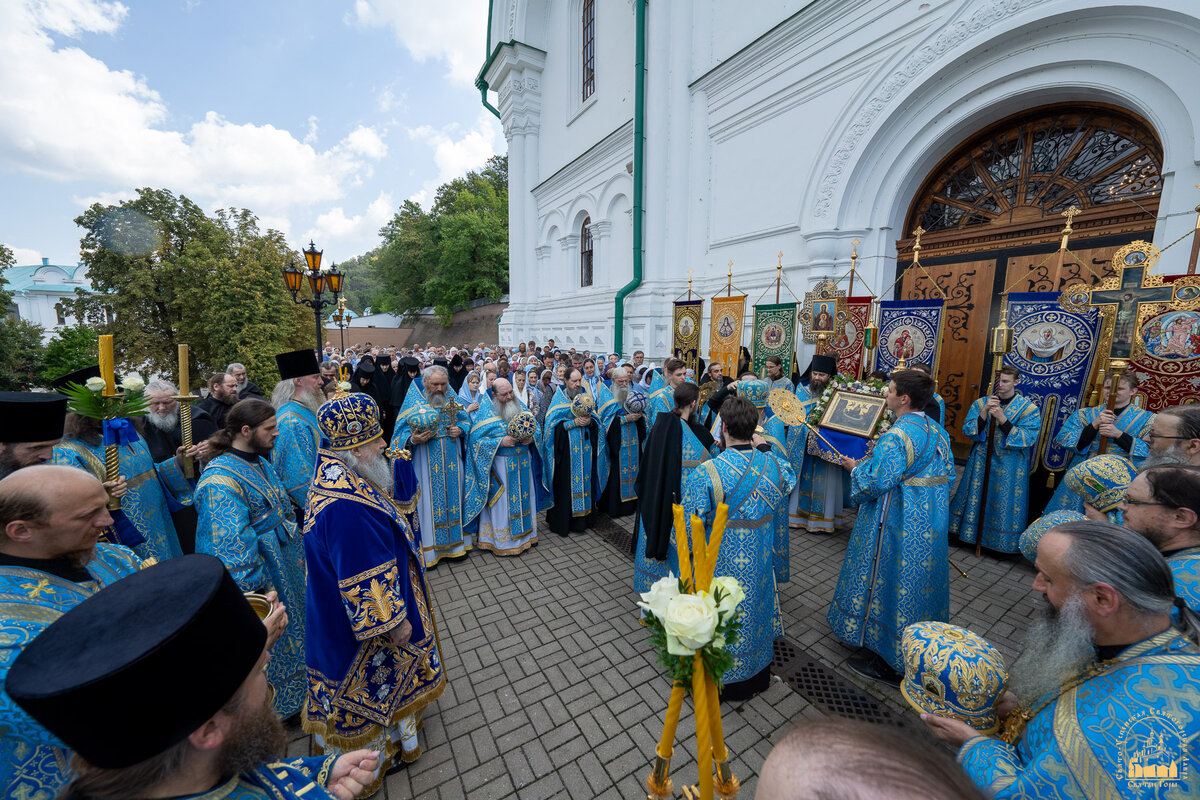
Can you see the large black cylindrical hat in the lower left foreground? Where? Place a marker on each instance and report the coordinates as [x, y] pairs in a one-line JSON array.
[[142, 664]]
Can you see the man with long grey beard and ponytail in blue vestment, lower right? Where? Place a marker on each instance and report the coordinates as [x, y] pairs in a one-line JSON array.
[[1106, 687]]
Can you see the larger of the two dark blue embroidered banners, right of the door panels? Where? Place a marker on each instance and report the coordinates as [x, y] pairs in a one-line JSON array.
[[1055, 351]]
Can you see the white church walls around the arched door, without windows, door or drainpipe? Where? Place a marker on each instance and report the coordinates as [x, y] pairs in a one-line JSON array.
[[790, 127]]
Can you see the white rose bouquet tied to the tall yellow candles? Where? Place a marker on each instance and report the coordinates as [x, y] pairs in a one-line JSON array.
[[685, 623]]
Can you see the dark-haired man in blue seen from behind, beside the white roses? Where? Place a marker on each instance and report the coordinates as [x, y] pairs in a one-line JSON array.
[[754, 483]]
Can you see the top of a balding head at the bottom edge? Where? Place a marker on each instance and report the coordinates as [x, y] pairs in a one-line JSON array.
[[842, 759]]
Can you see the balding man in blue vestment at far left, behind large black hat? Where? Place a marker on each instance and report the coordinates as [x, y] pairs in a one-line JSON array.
[[50, 563]]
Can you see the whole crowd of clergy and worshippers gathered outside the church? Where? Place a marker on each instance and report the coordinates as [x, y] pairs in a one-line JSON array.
[[322, 509]]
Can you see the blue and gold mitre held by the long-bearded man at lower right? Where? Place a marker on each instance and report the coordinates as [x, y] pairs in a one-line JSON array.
[[953, 673]]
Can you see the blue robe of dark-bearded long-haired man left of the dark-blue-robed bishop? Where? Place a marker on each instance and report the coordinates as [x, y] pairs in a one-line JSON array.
[[245, 519]]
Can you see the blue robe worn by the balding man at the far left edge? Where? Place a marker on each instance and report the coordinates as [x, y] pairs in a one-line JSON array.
[[33, 761]]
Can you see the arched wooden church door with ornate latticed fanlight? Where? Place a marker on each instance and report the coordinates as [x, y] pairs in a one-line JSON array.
[[993, 220]]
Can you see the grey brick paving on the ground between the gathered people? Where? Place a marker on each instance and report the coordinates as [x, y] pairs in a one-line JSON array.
[[554, 691]]
